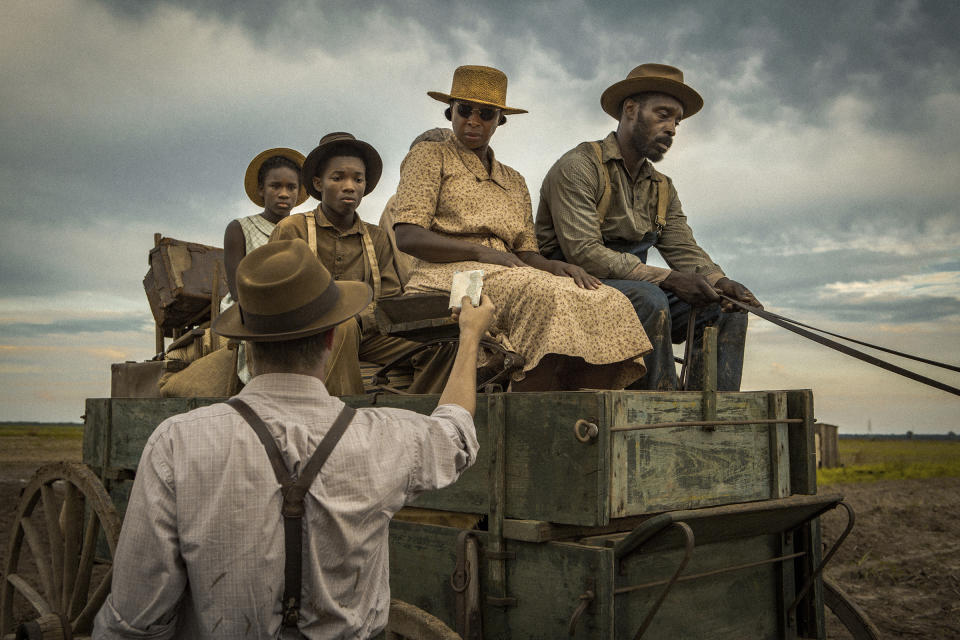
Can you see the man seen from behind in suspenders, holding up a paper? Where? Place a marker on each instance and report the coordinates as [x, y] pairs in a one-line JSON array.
[[205, 552]]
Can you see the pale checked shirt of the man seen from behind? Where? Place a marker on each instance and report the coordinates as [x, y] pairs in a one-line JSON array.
[[201, 550]]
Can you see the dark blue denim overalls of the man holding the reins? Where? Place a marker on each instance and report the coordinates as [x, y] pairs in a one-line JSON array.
[[664, 317]]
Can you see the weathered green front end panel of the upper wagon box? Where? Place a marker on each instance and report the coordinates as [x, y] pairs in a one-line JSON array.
[[685, 467]]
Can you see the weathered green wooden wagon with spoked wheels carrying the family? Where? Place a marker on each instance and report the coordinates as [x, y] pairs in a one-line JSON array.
[[602, 515]]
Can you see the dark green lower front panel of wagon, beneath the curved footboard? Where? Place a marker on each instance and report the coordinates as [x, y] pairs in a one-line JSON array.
[[744, 603]]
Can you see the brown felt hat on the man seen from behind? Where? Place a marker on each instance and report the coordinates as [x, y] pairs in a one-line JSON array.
[[284, 293]]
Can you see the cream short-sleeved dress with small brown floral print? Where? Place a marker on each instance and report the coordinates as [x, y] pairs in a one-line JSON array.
[[445, 188]]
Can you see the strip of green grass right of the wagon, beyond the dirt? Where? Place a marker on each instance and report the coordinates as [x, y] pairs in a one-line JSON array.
[[867, 460]]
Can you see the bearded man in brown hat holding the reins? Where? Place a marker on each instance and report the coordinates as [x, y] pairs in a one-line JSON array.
[[603, 206]]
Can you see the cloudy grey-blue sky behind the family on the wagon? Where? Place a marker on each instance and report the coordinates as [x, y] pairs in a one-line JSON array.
[[822, 172]]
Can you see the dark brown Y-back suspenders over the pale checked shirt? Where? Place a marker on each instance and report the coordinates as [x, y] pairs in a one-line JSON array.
[[293, 490]]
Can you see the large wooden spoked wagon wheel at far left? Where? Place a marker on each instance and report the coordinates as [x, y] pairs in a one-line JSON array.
[[51, 556]]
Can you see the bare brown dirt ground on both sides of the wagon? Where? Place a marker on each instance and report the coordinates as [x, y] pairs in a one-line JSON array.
[[901, 563]]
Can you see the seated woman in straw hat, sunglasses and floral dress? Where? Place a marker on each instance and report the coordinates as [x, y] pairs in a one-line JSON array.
[[459, 209]]
